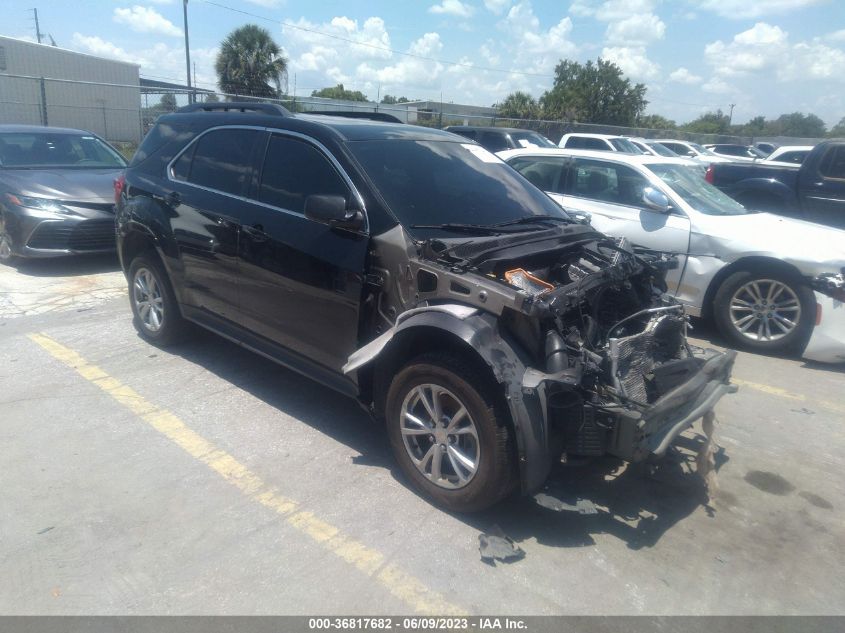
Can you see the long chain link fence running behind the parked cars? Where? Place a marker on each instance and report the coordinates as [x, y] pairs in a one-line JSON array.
[[123, 113]]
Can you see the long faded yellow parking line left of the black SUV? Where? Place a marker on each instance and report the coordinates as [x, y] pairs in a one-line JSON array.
[[367, 560]]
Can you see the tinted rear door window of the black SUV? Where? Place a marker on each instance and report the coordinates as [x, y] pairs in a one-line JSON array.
[[223, 160]]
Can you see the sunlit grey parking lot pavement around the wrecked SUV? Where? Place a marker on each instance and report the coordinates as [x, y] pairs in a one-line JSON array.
[[204, 479]]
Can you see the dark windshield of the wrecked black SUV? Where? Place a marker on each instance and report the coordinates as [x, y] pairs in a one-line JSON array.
[[441, 182]]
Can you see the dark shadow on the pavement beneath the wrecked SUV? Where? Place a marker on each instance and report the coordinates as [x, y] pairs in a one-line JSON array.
[[637, 503]]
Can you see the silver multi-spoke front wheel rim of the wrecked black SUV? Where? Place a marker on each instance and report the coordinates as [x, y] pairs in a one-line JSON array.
[[440, 436]]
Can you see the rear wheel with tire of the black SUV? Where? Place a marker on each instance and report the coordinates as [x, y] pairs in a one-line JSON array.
[[155, 311]]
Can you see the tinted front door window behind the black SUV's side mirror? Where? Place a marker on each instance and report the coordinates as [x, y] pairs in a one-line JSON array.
[[294, 170]]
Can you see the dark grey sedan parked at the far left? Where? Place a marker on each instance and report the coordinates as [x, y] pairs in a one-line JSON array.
[[56, 192]]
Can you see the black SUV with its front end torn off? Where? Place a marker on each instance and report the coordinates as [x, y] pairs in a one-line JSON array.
[[419, 274]]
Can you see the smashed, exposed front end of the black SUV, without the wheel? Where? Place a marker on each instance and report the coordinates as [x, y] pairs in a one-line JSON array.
[[591, 354]]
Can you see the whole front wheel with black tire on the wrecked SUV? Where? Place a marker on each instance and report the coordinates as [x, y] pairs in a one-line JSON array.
[[446, 433]]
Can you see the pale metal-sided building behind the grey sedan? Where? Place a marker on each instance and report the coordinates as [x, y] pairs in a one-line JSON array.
[[77, 90]]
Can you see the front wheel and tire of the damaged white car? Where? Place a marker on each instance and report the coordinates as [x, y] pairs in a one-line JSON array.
[[765, 312]]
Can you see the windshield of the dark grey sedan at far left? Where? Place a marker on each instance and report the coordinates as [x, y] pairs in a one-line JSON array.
[[46, 150]]
